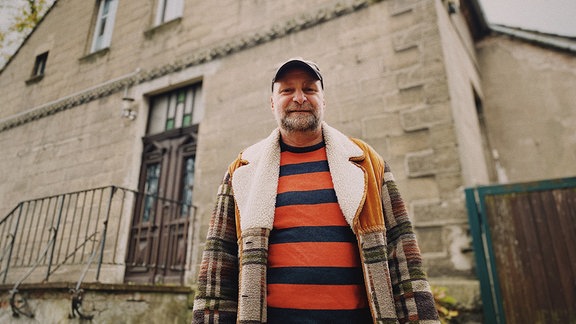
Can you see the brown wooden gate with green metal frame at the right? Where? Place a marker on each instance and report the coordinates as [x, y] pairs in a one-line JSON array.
[[524, 238]]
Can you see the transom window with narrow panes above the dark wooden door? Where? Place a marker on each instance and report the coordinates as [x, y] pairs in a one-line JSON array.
[[176, 109]]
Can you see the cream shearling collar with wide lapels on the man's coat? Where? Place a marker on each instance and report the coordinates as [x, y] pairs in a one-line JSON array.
[[255, 184]]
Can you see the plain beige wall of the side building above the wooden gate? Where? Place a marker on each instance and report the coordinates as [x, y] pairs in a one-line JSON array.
[[531, 125]]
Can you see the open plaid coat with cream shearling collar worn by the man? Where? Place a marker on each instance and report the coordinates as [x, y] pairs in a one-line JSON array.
[[232, 280]]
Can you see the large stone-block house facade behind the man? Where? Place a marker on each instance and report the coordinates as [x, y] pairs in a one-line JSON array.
[[394, 75]]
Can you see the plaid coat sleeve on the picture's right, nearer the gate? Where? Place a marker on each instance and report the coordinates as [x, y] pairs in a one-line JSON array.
[[412, 293]]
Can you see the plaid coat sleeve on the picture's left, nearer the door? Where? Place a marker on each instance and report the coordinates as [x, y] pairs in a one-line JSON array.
[[217, 295]]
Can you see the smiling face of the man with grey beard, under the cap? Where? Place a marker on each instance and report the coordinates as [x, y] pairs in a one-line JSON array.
[[298, 101]]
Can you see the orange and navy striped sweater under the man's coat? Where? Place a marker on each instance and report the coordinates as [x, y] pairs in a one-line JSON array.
[[314, 273]]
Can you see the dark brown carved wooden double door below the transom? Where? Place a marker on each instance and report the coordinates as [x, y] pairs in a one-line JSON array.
[[159, 232]]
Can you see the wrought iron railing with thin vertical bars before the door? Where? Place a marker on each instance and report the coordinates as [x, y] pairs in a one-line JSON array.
[[89, 229]]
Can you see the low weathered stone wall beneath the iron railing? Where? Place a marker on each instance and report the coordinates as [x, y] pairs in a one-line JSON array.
[[106, 304]]
